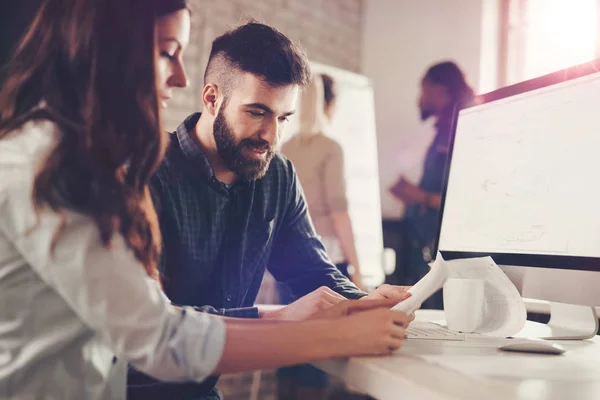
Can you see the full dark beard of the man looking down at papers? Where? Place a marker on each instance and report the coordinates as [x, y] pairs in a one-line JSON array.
[[246, 167]]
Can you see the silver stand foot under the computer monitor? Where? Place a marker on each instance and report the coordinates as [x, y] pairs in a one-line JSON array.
[[570, 322]]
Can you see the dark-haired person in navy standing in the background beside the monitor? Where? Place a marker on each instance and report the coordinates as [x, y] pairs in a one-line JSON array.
[[443, 88]]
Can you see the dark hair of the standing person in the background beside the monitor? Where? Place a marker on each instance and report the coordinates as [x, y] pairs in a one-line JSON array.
[[450, 75]]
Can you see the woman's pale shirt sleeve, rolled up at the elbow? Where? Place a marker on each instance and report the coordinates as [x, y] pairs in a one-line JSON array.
[[109, 291]]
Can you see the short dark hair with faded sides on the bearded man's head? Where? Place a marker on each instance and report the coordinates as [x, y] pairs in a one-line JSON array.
[[260, 50]]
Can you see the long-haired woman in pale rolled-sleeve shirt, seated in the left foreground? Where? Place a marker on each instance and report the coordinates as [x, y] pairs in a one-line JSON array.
[[80, 136]]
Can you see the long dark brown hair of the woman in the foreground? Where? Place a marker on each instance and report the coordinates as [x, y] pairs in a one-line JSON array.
[[88, 66]]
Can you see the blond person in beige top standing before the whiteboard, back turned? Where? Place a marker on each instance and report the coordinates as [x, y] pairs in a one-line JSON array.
[[319, 163]]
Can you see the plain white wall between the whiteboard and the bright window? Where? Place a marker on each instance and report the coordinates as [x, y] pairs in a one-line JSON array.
[[401, 38]]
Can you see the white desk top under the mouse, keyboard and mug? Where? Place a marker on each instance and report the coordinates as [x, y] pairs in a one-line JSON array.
[[405, 376]]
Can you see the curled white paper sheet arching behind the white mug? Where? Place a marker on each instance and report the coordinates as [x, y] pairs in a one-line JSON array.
[[504, 312]]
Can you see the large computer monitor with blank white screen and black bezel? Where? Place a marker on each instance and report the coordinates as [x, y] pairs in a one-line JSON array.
[[524, 186]]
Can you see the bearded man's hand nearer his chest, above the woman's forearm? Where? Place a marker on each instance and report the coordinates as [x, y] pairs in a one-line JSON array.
[[306, 307]]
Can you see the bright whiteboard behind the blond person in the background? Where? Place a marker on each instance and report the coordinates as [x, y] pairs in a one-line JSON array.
[[353, 127]]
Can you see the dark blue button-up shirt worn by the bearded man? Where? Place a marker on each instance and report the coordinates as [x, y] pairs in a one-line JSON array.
[[218, 239]]
